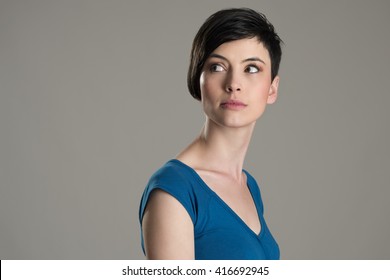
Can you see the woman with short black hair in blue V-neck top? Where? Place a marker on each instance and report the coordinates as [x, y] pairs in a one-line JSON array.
[[202, 204]]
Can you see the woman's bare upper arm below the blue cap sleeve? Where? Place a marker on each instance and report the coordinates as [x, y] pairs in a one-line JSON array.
[[167, 228]]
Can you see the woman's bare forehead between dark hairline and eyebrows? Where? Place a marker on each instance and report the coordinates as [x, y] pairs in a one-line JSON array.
[[243, 49]]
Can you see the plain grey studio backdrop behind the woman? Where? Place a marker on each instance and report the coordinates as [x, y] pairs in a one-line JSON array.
[[93, 100]]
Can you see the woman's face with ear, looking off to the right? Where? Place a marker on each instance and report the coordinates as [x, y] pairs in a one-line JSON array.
[[236, 83]]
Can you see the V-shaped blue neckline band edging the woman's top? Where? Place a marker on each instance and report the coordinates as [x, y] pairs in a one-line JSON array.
[[223, 203]]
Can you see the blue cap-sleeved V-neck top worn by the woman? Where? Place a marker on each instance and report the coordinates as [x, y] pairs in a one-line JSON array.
[[220, 234]]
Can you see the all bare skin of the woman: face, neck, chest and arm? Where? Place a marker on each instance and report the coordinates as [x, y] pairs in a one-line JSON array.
[[241, 71]]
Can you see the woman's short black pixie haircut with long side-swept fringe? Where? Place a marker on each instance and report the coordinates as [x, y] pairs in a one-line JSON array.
[[229, 25]]
